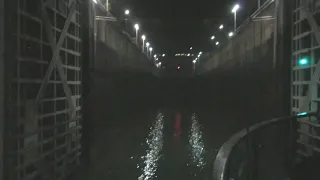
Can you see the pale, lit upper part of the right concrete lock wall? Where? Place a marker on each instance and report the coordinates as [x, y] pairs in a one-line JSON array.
[[252, 45]]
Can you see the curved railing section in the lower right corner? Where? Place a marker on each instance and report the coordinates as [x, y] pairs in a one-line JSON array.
[[267, 150]]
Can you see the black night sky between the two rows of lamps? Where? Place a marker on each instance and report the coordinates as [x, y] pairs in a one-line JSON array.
[[175, 25]]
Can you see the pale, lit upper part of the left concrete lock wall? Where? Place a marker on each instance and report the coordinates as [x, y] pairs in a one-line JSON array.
[[115, 51]]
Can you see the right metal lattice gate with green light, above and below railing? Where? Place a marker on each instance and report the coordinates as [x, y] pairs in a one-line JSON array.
[[306, 70]]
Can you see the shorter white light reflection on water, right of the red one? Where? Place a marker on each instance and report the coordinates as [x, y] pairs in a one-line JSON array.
[[196, 143]]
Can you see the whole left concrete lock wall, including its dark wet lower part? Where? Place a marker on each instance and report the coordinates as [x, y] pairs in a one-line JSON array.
[[122, 77]]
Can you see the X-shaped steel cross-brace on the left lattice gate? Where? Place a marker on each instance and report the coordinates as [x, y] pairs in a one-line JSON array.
[[56, 62]]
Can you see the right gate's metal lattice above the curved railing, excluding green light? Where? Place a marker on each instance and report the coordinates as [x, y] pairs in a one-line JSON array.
[[304, 85]]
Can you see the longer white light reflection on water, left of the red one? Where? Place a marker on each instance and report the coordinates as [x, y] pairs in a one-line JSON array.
[[155, 144]]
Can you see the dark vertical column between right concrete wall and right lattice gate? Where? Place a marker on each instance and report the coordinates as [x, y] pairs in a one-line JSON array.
[[282, 54]]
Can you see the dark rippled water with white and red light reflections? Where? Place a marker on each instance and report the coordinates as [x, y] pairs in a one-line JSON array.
[[166, 143]]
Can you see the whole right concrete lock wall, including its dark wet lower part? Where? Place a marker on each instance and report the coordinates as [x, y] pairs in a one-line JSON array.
[[251, 68]]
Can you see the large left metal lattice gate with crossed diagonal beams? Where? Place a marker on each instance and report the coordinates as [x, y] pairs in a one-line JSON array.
[[43, 88]]
